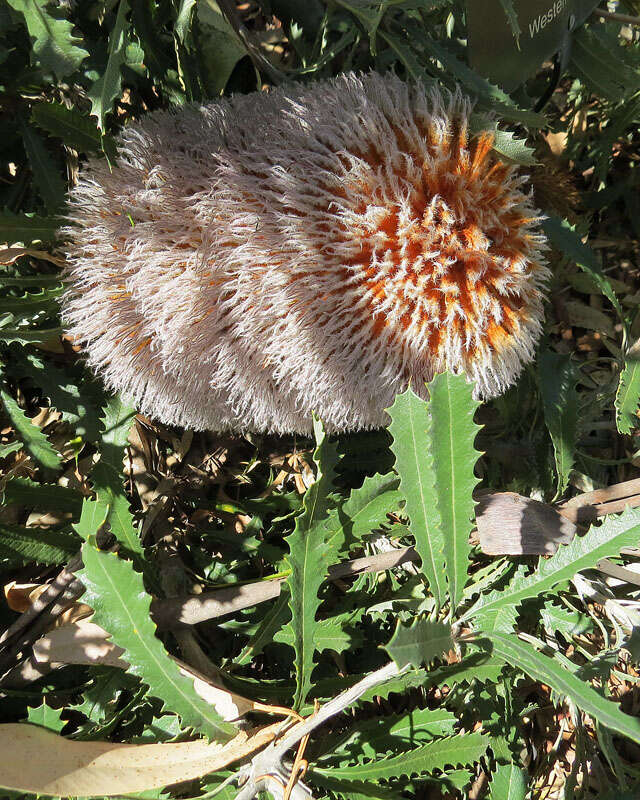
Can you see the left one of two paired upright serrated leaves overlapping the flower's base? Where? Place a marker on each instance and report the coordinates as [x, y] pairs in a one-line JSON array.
[[410, 428]]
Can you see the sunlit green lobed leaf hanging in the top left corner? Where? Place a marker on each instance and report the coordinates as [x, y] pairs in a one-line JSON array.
[[54, 44]]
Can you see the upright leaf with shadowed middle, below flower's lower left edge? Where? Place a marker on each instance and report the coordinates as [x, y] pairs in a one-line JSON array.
[[107, 473]]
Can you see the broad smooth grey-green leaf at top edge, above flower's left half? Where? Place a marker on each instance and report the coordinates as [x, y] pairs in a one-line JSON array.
[[220, 48]]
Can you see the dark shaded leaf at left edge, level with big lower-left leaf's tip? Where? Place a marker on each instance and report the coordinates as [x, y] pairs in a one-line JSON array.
[[20, 545]]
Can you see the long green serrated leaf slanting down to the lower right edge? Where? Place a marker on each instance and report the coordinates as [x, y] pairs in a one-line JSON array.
[[555, 675]]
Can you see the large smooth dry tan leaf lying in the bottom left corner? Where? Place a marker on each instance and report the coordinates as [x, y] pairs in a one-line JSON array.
[[38, 761]]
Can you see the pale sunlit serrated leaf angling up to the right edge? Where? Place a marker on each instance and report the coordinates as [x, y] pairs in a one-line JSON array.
[[583, 552]]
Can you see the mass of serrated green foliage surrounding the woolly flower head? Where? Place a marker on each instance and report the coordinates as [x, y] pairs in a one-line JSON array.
[[229, 514]]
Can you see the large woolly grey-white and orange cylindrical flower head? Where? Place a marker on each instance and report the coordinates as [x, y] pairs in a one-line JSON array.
[[313, 249]]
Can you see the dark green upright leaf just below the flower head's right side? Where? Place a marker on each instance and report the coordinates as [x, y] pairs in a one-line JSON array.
[[560, 401]]
